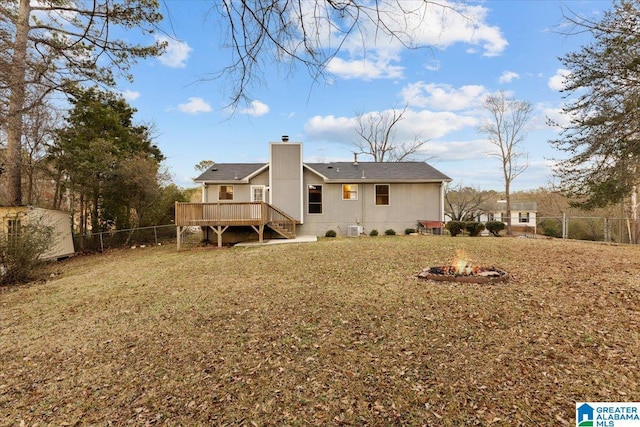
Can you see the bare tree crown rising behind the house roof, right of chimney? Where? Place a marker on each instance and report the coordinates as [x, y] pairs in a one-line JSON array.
[[377, 134]]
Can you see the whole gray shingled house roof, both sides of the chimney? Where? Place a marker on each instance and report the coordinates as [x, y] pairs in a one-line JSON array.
[[336, 171]]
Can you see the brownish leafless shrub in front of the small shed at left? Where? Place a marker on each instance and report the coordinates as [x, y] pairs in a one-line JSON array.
[[20, 252]]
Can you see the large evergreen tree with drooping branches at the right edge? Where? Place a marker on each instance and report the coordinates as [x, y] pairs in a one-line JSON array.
[[603, 136]]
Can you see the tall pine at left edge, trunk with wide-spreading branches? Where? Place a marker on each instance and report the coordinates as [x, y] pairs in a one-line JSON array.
[[49, 45]]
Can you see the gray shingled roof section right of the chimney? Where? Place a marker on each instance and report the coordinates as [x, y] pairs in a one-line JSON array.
[[378, 171]]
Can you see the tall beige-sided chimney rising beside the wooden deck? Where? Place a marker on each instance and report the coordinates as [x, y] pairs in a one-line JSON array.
[[285, 170]]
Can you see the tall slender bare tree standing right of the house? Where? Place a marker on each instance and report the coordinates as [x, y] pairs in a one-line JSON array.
[[506, 131]]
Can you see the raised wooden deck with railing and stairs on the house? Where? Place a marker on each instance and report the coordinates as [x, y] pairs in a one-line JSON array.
[[221, 215]]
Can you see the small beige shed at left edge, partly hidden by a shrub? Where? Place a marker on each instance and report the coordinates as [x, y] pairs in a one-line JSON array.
[[13, 218]]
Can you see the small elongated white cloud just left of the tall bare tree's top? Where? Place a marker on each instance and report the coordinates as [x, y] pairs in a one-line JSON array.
[[442, 96]]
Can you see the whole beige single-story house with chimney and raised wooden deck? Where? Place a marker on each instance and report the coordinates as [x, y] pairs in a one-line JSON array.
[[287, 197]]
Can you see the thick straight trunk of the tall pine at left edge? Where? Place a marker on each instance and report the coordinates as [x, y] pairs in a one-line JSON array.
[[17, 83]]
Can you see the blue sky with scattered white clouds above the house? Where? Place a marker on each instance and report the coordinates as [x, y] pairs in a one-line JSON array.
[[509, 45]]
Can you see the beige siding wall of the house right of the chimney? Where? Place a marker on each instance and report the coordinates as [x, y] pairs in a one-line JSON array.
[[408, 203]]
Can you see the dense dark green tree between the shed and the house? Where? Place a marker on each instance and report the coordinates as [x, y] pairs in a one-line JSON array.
[[108, 162]]
